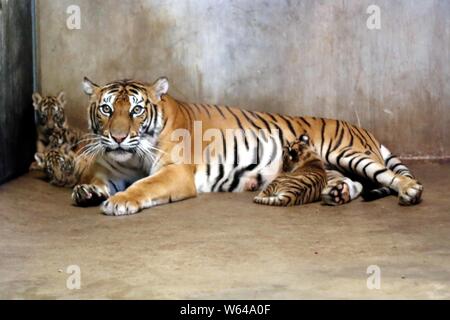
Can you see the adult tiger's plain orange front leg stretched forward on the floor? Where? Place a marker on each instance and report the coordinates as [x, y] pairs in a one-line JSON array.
[[172, 183]]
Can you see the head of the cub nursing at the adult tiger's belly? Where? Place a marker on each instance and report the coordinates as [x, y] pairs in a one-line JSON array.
[[298, 153]]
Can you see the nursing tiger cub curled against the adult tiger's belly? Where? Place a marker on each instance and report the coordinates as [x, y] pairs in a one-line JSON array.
[[302, 178]]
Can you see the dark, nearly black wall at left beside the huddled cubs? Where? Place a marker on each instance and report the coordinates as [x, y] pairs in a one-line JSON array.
[[16, 88]]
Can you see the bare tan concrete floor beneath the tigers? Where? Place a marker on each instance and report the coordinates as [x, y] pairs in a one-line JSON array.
[[224, 246]]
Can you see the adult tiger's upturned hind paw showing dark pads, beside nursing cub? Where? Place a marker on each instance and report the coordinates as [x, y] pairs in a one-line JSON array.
[[341, 192]]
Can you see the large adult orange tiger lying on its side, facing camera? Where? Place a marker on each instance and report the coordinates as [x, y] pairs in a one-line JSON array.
[[134, 124]]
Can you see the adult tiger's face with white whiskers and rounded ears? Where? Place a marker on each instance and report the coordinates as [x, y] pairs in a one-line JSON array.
[[124, 117]]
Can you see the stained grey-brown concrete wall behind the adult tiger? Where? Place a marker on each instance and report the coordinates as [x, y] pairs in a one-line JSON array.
[[295, 57]]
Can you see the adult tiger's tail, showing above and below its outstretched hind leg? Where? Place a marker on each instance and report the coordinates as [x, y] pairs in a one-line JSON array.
[[394, 164]]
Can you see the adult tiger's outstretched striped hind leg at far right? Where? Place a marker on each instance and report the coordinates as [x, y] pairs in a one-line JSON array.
[[409, 190]]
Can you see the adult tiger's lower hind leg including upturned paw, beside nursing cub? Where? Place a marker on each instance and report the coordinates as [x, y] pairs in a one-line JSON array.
[[340, 189]]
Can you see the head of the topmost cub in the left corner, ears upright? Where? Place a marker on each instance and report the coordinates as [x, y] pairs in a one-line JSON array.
[[49, 112]]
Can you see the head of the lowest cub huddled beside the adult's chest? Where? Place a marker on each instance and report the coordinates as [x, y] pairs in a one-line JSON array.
[[58, 166]]
